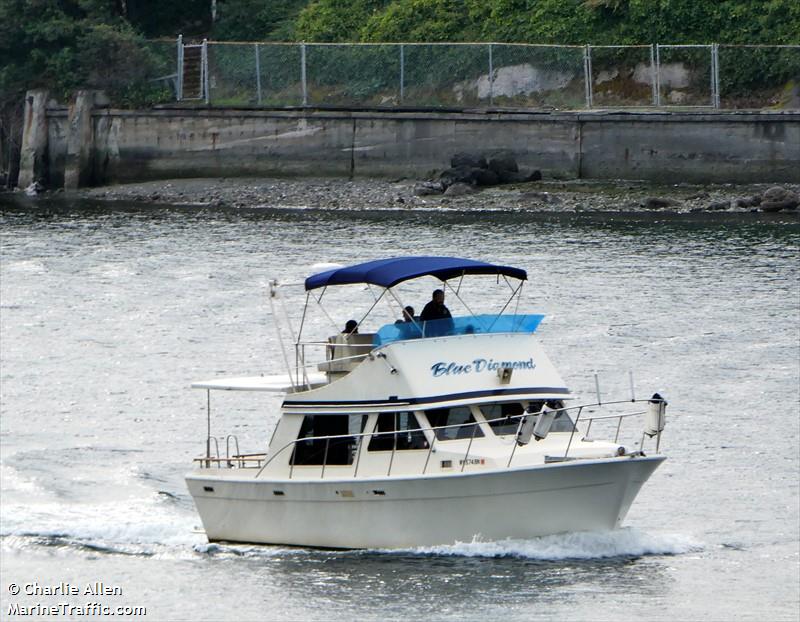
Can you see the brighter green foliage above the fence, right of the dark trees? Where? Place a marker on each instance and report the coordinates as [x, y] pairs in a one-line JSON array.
[[553, 21]]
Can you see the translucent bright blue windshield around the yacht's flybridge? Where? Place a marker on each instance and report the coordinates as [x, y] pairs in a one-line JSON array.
[[469, 325]]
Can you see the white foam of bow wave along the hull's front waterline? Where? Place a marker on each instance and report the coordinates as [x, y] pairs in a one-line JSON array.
[[583, 545]]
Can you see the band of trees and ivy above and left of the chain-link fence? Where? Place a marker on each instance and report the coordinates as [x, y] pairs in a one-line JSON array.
[[66, 44]]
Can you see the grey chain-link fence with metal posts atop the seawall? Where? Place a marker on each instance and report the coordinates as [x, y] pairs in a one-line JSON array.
[[491, 75]]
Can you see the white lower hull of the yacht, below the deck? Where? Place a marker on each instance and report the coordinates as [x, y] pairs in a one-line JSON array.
[[584, 495]]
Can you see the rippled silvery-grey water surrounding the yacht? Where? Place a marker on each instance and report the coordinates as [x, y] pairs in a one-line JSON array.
[[108, 314]]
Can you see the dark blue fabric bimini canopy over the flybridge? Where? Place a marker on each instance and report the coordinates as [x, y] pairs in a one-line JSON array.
[[390, 272]]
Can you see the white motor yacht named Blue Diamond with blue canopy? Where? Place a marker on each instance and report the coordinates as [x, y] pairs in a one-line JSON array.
[[421, 431]]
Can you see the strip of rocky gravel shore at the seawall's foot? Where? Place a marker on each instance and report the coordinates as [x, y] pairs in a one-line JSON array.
[[374, 194]]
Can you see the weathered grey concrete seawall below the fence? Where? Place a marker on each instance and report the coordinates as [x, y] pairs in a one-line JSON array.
[[664, 147]]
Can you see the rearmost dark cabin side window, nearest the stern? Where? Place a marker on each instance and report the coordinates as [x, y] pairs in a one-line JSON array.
[[332, 451]]
